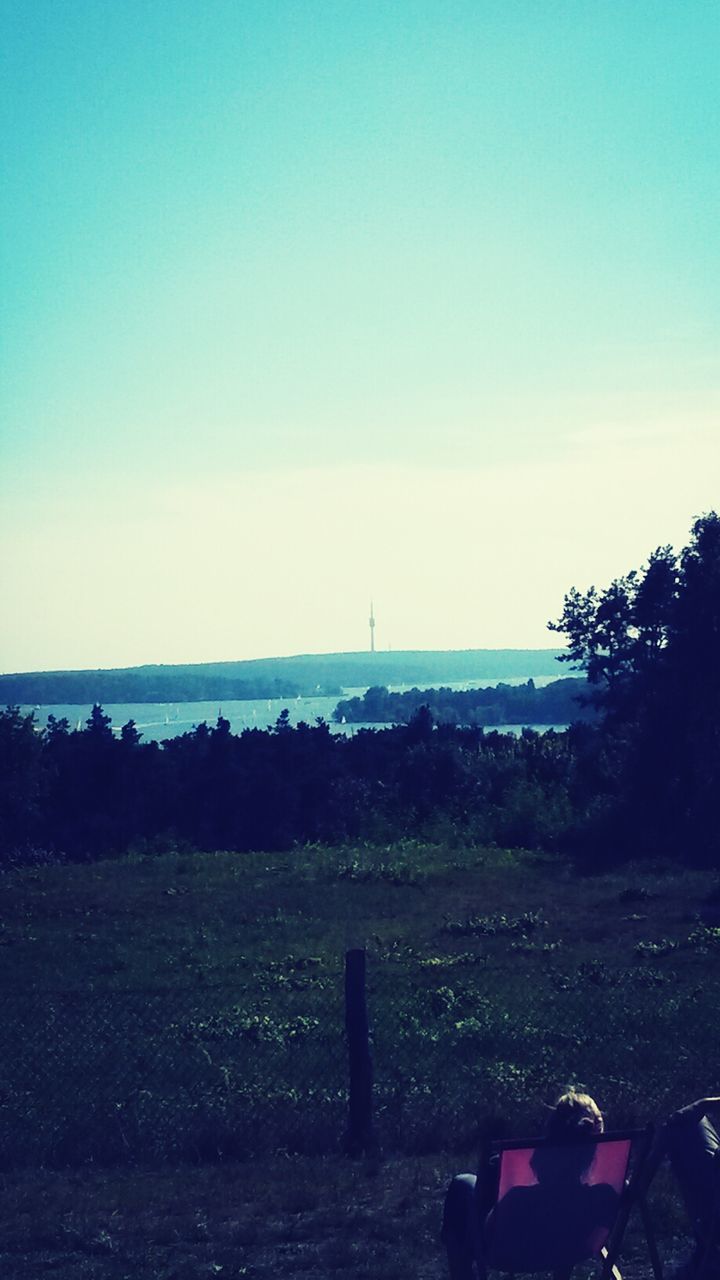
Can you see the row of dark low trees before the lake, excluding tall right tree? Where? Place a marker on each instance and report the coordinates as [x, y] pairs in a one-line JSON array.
[[93, 793]]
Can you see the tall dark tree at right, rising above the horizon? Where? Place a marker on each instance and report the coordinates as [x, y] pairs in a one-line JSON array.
[[650, 644]]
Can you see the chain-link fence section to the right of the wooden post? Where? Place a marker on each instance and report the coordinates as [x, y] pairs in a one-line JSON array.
[[455, 1049]]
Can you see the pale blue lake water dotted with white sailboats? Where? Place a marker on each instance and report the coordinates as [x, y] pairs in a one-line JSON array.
[[158, 721]]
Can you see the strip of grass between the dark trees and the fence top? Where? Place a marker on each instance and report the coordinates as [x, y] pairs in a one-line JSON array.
[[189, 921]]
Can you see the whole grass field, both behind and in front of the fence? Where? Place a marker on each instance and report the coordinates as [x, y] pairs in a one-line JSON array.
[[174, 1030]]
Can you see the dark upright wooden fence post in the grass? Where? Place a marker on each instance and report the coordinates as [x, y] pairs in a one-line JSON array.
[[359, 1139]]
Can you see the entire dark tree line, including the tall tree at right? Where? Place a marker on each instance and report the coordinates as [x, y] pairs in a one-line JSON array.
[[642, 780]]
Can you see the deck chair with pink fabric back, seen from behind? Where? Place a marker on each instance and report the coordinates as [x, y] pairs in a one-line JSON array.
[[559, 1205]]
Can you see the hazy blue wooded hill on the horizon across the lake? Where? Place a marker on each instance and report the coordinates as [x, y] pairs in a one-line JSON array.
[[275, 678]]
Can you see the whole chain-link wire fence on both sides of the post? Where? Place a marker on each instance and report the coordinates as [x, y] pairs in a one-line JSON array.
[[200, 1075]]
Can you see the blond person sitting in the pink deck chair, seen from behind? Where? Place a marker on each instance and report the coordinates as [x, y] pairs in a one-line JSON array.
[[472, 1217]]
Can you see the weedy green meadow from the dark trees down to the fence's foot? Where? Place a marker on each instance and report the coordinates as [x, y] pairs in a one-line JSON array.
[[190, 1008]]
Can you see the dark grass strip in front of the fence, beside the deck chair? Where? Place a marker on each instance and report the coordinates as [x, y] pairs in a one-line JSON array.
[[307, 1218]]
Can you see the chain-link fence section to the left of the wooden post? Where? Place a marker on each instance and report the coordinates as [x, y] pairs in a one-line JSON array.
[[166, 1076]]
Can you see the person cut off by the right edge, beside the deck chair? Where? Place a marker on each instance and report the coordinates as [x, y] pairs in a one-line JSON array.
[[692, 1145]]
